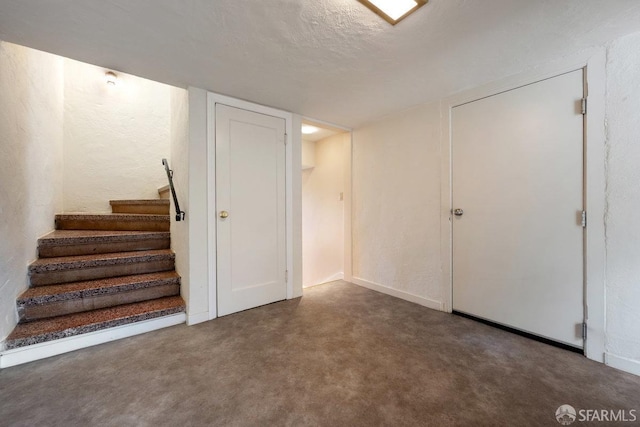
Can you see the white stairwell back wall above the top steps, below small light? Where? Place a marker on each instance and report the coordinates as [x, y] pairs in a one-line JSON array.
[[114, 137]]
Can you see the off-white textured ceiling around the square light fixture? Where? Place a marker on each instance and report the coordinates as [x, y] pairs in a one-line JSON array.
[[333, 60]]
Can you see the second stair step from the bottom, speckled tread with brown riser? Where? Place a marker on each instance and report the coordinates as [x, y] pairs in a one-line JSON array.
[[58, 300]]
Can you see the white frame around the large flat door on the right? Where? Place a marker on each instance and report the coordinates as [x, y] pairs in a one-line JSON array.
[[594, 63]]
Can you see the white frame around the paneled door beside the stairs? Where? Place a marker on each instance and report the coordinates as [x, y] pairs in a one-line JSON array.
[[212, 100]]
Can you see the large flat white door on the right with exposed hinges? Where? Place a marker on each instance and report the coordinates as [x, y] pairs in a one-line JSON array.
[[517, 162]]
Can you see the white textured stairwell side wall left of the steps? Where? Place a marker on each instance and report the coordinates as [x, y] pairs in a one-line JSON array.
[[31, 138]]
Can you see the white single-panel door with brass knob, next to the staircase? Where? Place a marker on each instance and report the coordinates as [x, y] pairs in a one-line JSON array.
[[250, 204]]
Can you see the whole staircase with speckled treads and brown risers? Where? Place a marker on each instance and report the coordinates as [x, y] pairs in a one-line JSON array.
[[98, 271]]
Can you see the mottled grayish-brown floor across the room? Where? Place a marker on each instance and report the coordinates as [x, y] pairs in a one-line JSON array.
[[340, 356]]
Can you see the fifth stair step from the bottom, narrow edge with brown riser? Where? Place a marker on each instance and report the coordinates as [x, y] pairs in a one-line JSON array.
[[124, 222]]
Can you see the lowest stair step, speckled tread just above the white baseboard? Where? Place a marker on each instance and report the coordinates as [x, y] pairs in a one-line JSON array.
[[40, 331]]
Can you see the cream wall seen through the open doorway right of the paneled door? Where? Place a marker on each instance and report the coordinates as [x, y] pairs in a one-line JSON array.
[[323, 211]]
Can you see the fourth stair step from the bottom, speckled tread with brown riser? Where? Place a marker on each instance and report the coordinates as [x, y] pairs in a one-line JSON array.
[[62, 243]]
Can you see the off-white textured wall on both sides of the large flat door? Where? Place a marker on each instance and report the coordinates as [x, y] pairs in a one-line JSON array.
[[396, 185]]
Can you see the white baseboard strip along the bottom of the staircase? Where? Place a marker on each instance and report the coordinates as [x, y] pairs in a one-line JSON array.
[[43, 350]]
